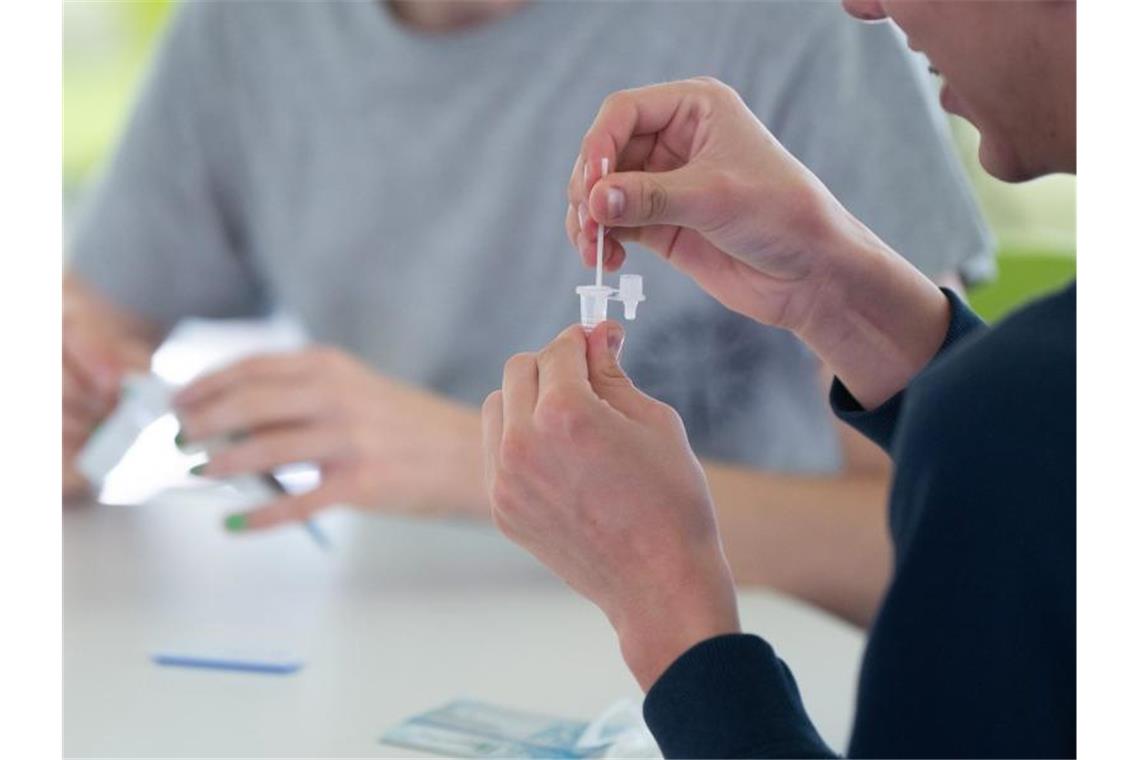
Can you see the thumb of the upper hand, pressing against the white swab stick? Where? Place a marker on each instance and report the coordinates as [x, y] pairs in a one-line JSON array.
[[641, 199]]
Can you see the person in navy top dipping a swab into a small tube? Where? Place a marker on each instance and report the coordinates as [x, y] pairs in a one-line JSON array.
[[973, 652]]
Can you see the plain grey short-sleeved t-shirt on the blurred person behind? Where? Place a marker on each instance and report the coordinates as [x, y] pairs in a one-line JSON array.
[[403, 194]]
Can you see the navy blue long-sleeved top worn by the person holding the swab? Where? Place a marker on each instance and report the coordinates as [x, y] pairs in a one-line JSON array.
[[974, 650]]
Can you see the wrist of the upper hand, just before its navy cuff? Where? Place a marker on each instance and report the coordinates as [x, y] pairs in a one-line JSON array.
[[875, 320]]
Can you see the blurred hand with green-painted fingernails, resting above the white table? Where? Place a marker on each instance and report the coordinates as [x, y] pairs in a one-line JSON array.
[[378, 443]]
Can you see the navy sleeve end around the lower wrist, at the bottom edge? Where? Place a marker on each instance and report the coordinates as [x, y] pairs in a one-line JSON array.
[[731, 697]]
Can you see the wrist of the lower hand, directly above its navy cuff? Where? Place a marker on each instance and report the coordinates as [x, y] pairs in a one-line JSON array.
[[657, 630]]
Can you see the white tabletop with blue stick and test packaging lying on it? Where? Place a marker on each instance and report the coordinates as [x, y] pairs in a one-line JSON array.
[[404, 616]]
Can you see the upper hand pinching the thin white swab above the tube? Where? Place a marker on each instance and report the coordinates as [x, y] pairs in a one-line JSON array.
[[699, 181]]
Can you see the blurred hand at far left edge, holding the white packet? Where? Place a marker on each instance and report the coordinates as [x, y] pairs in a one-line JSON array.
[[97, 353]]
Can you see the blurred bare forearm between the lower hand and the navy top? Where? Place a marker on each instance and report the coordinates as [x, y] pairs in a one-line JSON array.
[[821, 540]]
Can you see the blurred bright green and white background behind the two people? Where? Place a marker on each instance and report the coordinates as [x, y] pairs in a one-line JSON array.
[[108, 45]]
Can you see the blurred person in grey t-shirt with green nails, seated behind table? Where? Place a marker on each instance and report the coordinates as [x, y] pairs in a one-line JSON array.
[[363, 167]]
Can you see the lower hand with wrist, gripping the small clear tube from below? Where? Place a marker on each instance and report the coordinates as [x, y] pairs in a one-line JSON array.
[[598, 481]]
